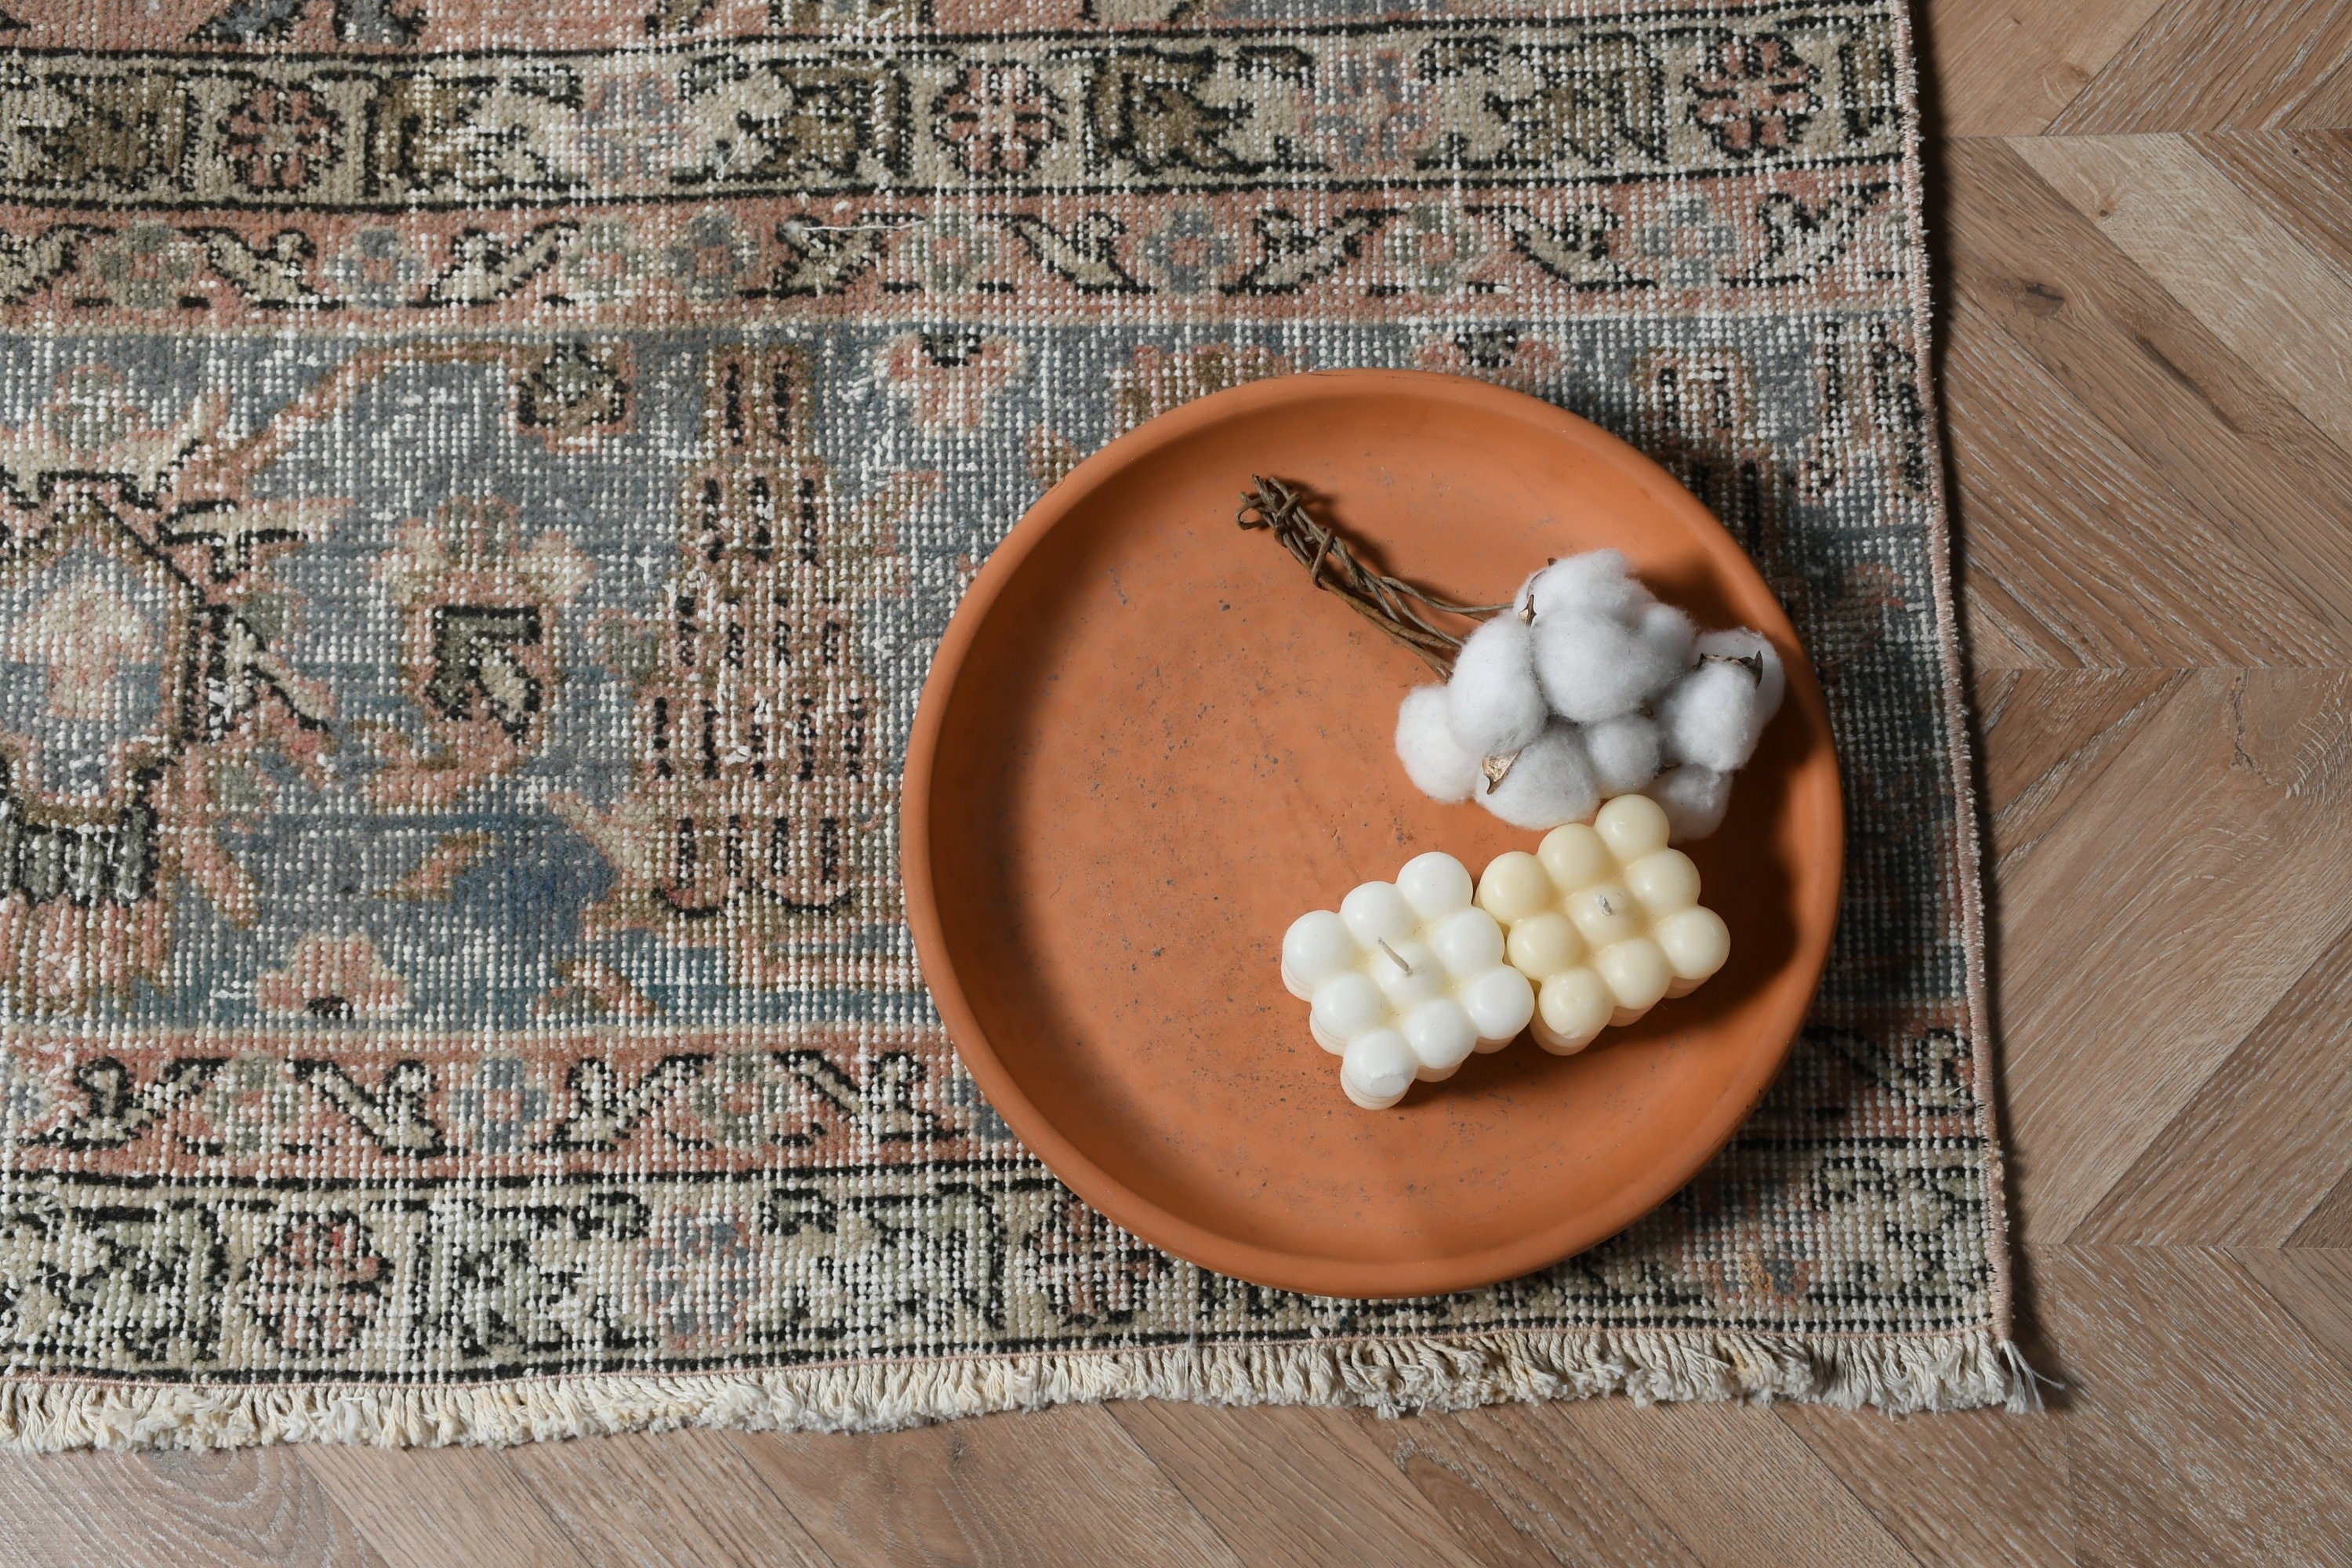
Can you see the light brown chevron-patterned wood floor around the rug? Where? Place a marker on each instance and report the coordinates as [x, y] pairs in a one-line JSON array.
[[2144, 222]]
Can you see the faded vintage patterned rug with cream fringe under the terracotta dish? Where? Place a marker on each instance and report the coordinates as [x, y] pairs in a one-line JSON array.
[[479, 490]]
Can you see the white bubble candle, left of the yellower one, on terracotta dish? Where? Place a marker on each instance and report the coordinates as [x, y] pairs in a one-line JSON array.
[[1405, 981]]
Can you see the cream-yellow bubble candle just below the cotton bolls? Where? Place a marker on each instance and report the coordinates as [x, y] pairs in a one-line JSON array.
[[1605, 923]]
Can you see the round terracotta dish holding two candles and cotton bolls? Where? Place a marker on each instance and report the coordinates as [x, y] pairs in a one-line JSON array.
[[1147, 746]]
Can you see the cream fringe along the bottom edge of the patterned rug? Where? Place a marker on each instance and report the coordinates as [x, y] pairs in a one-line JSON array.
[[1391, 1376]]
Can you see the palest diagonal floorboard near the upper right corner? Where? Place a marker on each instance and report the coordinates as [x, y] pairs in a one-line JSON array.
[[2252, 281]]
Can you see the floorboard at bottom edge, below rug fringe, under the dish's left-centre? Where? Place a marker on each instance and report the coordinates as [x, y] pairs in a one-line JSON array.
[[1288, 1485]]
